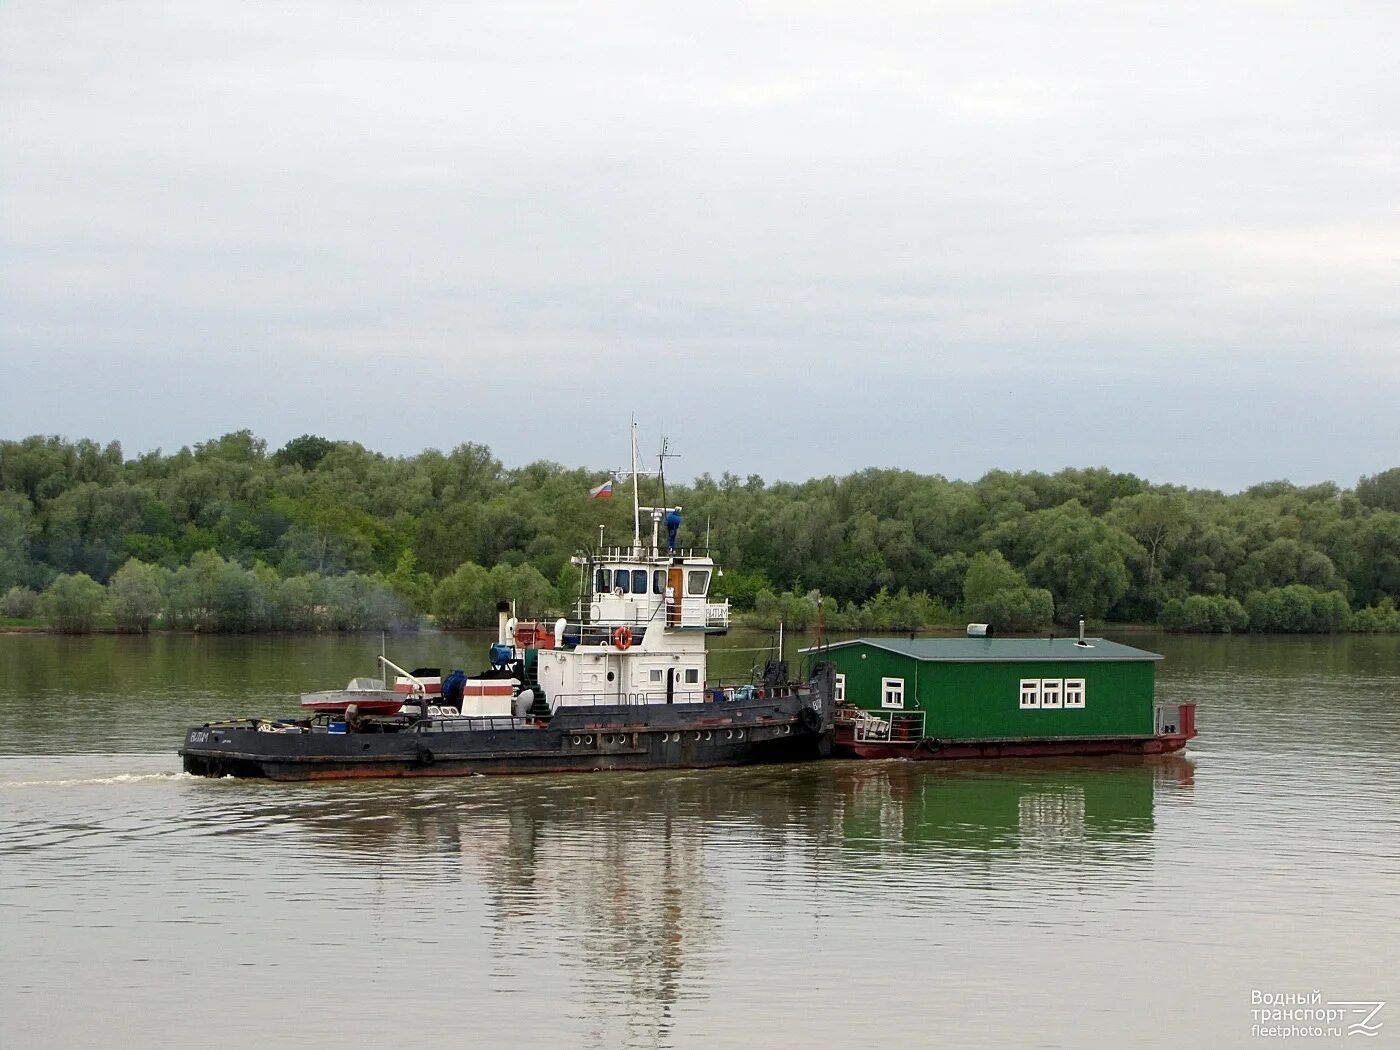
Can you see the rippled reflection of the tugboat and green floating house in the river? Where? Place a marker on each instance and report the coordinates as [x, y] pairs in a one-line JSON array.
[[640, 885]]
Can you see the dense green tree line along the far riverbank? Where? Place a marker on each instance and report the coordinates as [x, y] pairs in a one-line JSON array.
[[328, 535]]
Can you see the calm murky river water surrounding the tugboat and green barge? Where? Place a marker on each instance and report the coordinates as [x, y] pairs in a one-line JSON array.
[[1069, 904]]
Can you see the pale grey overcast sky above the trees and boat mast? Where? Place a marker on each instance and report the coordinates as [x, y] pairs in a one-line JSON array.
[[799, 239]]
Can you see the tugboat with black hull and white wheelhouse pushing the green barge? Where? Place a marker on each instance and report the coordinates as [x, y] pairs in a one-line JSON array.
[[621, 685]]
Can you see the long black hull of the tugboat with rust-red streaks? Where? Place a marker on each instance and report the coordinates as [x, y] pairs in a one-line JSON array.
[[576, 740]]
